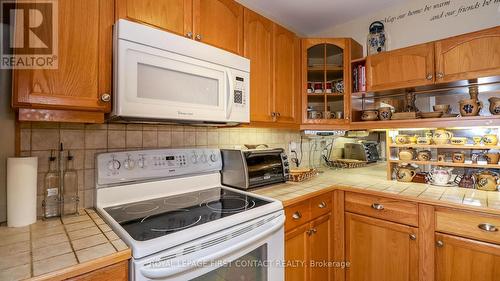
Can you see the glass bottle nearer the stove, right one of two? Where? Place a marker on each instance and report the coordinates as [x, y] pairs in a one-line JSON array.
[[70, 193]]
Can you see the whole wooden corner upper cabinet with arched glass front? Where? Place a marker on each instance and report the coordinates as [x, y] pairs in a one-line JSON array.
[[326, 81]]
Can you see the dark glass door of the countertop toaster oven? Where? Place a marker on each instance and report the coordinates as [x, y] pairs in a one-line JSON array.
[[264, 167]]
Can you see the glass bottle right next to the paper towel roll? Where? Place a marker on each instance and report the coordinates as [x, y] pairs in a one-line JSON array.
[[50, 204]]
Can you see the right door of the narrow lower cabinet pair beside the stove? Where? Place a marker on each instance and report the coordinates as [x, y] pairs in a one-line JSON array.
[[321, 249]]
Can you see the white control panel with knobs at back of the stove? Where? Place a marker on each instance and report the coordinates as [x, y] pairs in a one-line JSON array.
[[141, 165]]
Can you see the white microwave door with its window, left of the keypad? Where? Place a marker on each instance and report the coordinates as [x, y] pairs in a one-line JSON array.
[[157, 84]]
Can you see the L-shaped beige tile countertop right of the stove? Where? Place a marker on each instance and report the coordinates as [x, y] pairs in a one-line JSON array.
[[372, 179]]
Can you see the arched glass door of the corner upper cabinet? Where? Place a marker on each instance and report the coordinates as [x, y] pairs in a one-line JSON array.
[[325, 84]]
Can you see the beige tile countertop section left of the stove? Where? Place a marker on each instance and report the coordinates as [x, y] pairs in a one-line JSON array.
[[59, 248]]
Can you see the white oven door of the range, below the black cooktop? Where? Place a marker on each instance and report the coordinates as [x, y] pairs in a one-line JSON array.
[[250, 251]]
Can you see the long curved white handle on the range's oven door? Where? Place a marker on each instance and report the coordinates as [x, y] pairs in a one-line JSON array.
[[166, 272]]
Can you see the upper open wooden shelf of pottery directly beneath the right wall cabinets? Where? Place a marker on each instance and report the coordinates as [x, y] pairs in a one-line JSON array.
[[464, 103]]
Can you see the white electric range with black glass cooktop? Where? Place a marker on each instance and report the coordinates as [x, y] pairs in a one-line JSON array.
[[169, 206]]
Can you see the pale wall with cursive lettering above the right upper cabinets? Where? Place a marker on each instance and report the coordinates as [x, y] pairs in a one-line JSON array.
[[420, 28]]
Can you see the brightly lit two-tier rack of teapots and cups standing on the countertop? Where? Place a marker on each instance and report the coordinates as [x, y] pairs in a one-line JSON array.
[[463, 157]]
